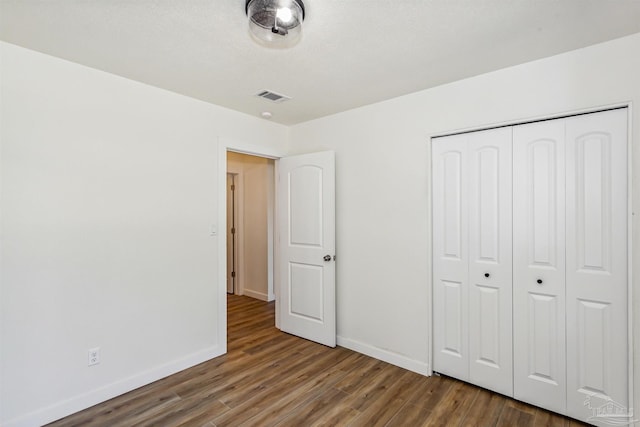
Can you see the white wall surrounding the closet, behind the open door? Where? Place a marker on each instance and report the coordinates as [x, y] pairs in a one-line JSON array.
[[383, 170]]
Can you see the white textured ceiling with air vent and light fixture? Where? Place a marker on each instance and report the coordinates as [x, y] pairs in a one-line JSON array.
[[353, 52]]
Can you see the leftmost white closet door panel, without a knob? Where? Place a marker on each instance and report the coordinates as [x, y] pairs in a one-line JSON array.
[[450, 259]]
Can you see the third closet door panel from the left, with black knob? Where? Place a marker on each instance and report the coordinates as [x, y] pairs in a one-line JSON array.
[[539, 264]]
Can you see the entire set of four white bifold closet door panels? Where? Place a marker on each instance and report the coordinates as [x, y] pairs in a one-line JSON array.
[[530, 263]]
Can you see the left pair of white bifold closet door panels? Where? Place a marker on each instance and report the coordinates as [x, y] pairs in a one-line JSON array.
[[472, 257]]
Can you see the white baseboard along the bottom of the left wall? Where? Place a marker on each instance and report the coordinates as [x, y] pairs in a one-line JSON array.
[[78, 403]]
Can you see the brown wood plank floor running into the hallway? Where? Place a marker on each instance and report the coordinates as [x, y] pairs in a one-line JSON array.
[[269, 378]]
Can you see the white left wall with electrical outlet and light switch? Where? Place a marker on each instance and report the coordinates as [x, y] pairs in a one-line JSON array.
[[109, 189]]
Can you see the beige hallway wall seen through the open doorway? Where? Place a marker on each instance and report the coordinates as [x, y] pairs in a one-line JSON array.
[[255, 187]]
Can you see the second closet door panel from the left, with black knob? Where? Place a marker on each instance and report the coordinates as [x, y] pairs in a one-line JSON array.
[[490, 332]]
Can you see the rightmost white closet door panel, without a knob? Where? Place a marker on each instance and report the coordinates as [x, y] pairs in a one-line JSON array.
[[596, 262]]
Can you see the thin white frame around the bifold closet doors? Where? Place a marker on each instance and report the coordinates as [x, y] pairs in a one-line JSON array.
[[634, 398]]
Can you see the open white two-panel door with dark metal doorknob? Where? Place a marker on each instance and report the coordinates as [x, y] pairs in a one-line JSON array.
[[306, 243]]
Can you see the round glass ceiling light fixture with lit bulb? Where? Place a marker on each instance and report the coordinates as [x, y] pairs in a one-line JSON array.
[[276, 23]]
